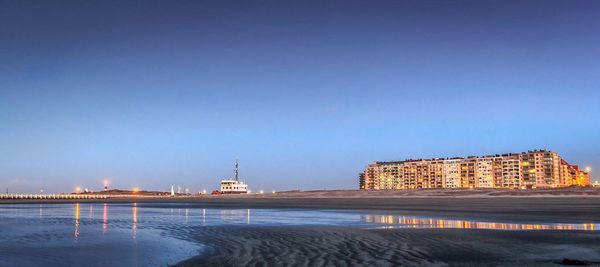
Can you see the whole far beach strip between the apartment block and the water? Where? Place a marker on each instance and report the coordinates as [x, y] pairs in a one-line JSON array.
[[570, 205]]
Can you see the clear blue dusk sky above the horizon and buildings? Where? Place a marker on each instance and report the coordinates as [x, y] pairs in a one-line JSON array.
[[304, 93]]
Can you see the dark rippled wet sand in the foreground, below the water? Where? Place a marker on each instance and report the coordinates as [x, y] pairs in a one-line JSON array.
[[338, 246]]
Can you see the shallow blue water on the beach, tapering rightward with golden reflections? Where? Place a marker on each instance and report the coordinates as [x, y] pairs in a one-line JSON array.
[[148, 234]]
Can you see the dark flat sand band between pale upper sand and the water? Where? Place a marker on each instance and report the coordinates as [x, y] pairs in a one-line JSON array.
[[526, 209]]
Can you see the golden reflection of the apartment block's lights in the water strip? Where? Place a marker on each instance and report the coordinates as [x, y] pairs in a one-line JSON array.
[[415, 222]]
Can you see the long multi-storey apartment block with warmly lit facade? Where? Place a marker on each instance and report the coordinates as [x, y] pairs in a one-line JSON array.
[[532, 169]]
